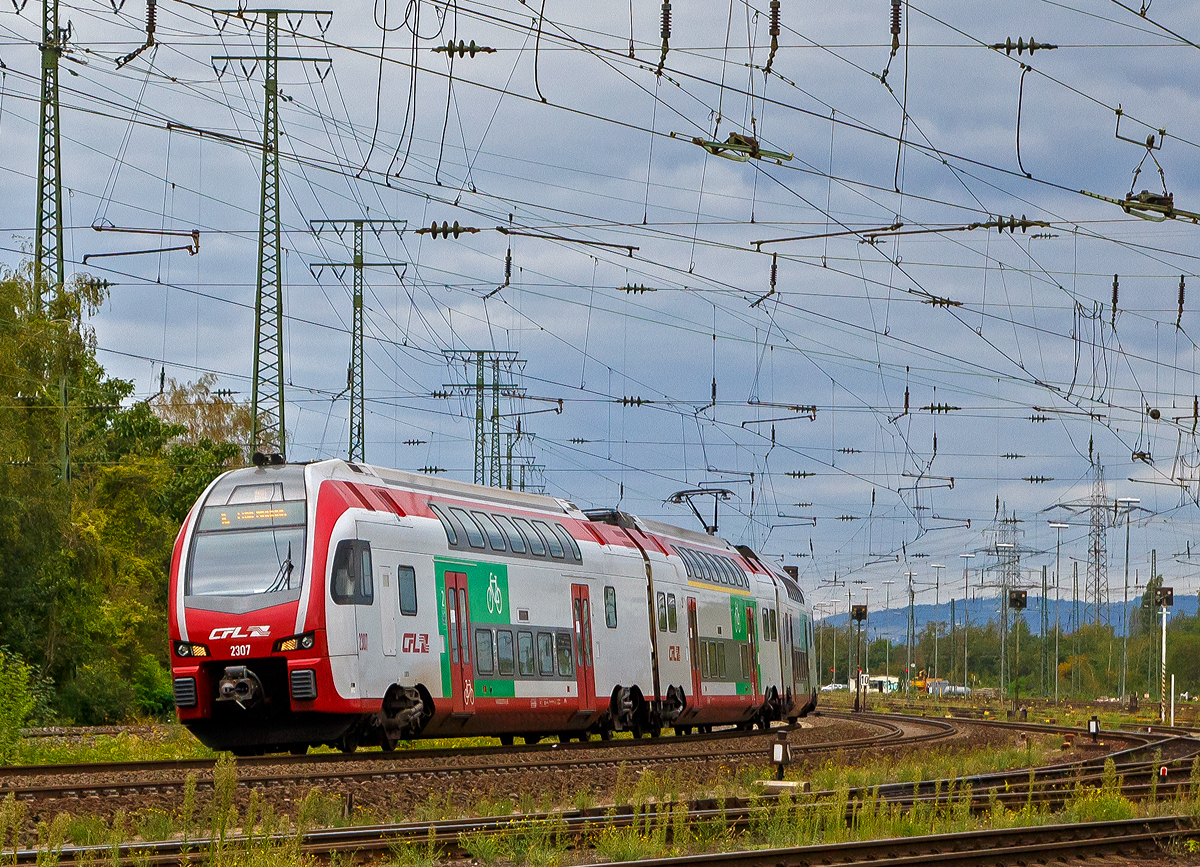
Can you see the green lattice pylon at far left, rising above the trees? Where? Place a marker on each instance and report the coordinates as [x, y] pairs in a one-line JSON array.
[[49, 274]]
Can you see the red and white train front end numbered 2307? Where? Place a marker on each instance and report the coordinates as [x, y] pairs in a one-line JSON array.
[[245, 668]]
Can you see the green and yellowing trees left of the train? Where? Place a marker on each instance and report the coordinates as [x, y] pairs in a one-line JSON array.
[[93, 491]]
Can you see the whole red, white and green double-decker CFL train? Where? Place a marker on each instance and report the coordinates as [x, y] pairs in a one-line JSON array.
[[347, 605]]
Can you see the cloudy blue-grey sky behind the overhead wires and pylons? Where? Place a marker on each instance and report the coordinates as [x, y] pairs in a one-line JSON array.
[[907, 380]]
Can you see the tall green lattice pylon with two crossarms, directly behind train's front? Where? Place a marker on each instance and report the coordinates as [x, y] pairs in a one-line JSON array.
[[268, 432]]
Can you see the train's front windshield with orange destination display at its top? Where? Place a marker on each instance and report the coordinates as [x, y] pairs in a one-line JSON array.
[[243, 551]]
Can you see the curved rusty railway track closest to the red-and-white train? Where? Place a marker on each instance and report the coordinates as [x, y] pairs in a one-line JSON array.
[[118, 780]]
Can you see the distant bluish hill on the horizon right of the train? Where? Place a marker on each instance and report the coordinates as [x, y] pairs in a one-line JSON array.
[[895, 623]]
